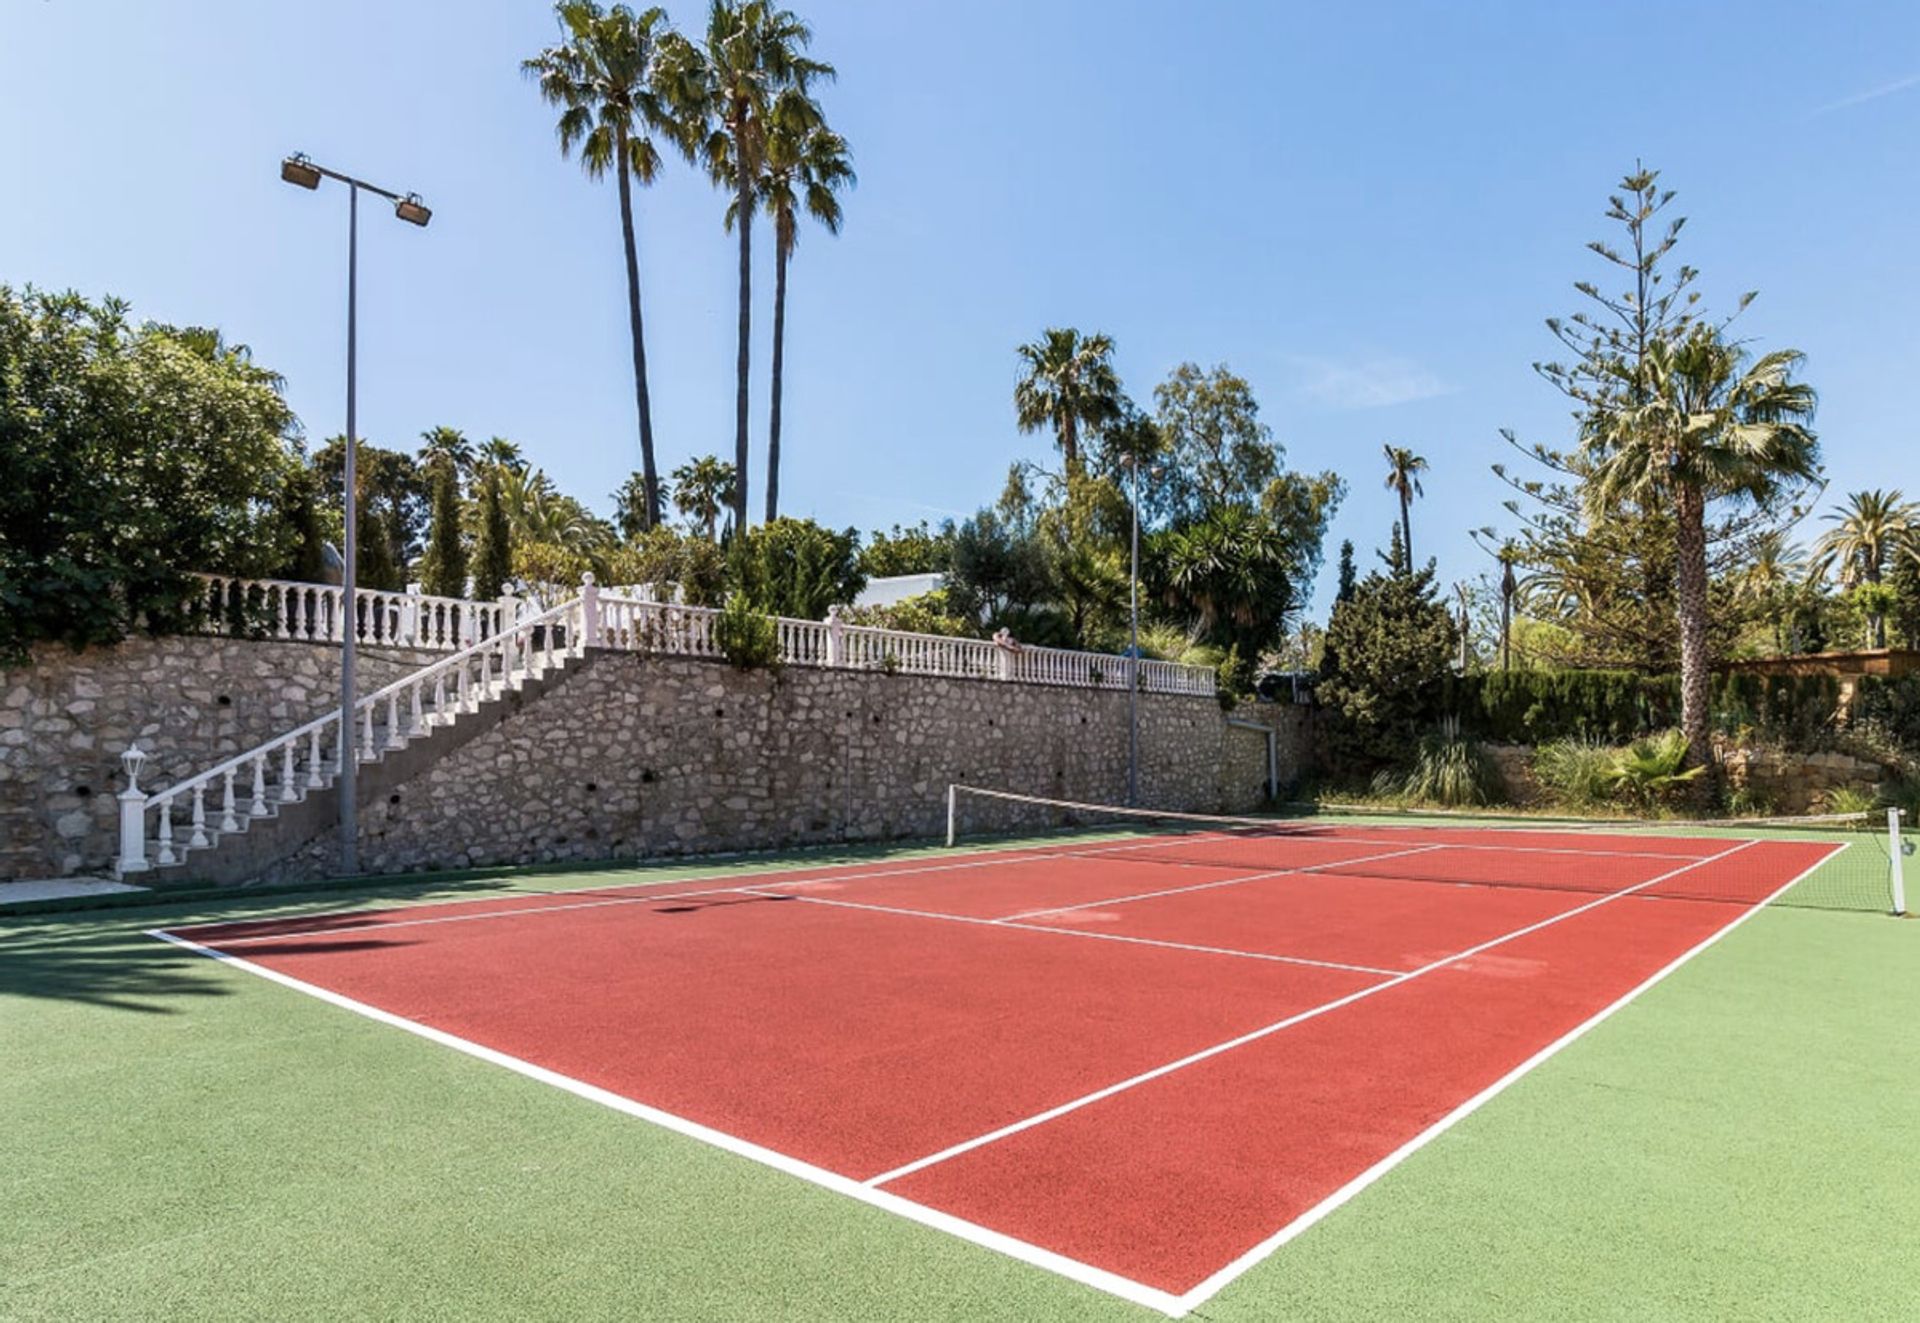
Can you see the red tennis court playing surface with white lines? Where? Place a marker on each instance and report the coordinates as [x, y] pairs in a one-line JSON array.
[[1136, 1063]]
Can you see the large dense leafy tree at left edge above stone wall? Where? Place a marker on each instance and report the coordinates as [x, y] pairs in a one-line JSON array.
[[132, 458]]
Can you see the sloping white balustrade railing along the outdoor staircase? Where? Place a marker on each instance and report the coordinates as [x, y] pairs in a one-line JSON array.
[[308, 758]]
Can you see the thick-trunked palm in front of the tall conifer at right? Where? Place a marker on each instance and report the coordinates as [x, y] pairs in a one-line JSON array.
[[1706, 423]]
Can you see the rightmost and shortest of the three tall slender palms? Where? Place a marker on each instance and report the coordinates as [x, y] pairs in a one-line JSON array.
[[807, 164]]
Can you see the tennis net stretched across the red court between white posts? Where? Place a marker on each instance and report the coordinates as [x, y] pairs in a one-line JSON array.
[[1825, 861]]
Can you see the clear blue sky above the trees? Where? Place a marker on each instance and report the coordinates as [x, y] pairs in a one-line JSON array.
[[1364, 210]]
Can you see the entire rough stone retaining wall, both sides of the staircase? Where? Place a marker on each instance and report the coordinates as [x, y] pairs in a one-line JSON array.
[[633, 756]]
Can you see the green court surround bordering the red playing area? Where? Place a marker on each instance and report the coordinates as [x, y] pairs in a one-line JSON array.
[[180, 1140]]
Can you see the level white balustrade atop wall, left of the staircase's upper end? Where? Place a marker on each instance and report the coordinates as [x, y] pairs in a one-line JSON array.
[[316, 613]]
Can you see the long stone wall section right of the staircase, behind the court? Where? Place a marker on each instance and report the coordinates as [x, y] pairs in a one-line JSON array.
[[656, 756]]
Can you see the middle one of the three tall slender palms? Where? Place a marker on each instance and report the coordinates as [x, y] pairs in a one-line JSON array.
[[725, 93]]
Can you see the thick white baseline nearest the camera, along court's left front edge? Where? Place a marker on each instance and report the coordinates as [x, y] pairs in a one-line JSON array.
[[984, 1238]]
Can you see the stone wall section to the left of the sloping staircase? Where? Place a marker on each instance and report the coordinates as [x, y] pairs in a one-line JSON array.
[[189, 704]]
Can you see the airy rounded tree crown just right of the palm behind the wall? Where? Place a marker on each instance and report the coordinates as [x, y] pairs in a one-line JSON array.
[[1218, 448]]
